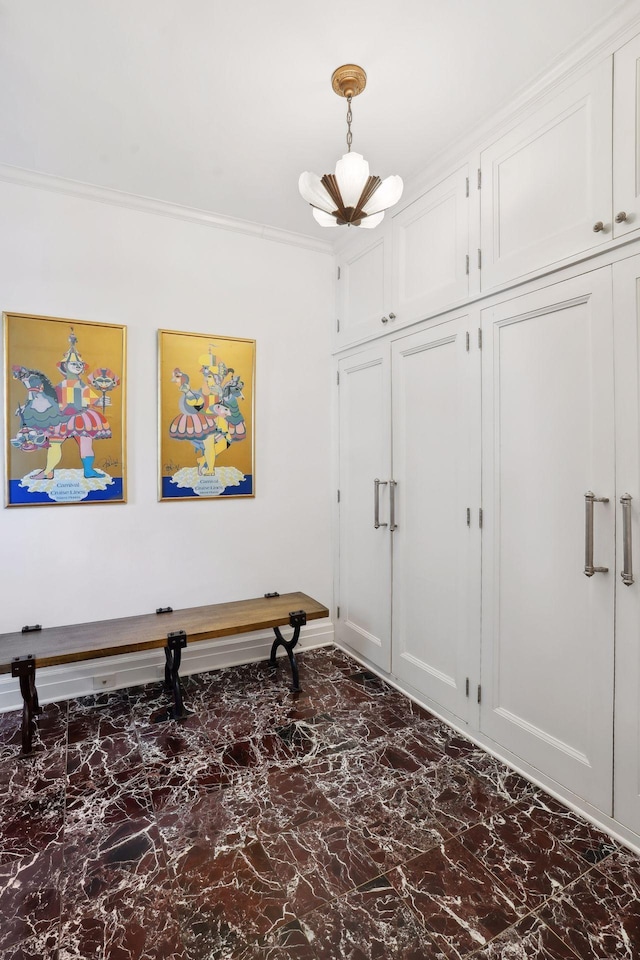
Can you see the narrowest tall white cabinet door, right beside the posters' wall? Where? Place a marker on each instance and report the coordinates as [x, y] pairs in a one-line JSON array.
[[364, 593]]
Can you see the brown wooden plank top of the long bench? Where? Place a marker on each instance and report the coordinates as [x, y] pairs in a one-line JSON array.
[[53, 646]]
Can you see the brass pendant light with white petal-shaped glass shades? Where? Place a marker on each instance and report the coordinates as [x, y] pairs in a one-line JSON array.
[[350, 195]]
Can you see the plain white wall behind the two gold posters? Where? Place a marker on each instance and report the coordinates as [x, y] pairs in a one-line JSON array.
[[71, 257]]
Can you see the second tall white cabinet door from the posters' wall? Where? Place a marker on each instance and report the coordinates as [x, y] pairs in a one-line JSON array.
[[436, 567]]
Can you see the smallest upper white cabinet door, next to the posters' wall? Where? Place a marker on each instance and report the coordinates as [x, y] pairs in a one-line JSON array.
[[363, 287]]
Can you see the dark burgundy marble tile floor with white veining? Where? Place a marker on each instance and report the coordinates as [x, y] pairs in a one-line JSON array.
[[341, 823]]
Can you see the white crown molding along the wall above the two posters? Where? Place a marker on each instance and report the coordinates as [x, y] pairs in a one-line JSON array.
[[174, 211]]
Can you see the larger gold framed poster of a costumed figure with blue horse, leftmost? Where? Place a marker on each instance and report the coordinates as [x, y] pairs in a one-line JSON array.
[[65, 411]]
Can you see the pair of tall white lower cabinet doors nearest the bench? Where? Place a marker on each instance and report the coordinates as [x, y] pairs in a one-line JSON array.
[[408, 473]]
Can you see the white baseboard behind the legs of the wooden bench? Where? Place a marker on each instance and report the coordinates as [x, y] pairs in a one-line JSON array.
[[131, 669]]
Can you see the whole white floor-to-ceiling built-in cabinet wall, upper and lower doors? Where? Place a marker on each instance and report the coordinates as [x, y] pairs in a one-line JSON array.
[[494, 569]]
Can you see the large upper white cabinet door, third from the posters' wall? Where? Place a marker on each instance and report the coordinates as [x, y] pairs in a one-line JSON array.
[[546, 185]]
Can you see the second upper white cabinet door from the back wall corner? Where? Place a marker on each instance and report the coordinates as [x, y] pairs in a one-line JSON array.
[[430, 240]]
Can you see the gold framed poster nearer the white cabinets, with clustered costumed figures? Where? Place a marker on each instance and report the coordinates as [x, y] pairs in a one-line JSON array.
[[206, 404]]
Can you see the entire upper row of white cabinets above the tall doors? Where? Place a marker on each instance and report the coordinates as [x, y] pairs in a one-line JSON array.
[[561, 181]]
